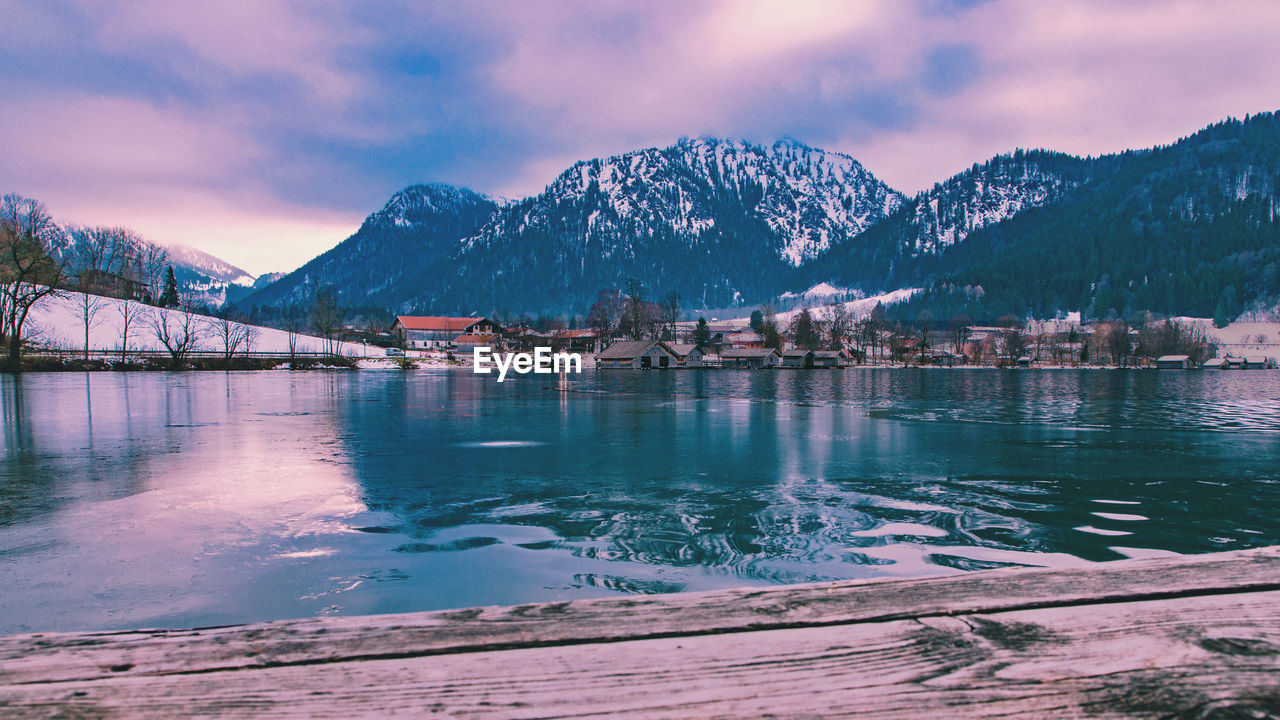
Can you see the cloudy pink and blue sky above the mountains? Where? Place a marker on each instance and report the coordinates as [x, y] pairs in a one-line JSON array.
[[264, 133]]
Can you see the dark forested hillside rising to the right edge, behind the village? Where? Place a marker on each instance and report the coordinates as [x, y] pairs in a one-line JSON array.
[[1192, 229]]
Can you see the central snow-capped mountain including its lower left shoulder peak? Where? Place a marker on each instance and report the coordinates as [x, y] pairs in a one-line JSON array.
[[716, 221]]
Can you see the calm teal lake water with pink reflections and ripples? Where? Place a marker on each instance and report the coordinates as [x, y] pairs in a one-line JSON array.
[[204, 499]]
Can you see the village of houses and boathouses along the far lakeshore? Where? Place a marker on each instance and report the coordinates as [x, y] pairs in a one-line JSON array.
[[812, 343]]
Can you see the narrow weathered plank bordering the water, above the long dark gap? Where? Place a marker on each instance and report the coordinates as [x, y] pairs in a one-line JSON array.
[[85, 657]]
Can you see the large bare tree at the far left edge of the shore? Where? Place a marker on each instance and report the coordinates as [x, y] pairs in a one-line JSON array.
[[31, 268]]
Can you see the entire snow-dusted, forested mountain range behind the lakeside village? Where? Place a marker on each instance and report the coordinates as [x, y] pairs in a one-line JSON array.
[[725, 224]]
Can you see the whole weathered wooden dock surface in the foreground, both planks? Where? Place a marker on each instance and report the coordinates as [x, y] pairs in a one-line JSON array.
[[1181, 637]]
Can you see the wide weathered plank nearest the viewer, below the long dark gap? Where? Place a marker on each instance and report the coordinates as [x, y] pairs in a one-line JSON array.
[[1205, 657]]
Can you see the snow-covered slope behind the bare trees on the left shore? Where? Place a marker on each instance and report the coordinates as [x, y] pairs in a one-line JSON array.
[[58, 323]]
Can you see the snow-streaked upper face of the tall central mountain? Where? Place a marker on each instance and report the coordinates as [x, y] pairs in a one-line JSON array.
[[808, 198]]
